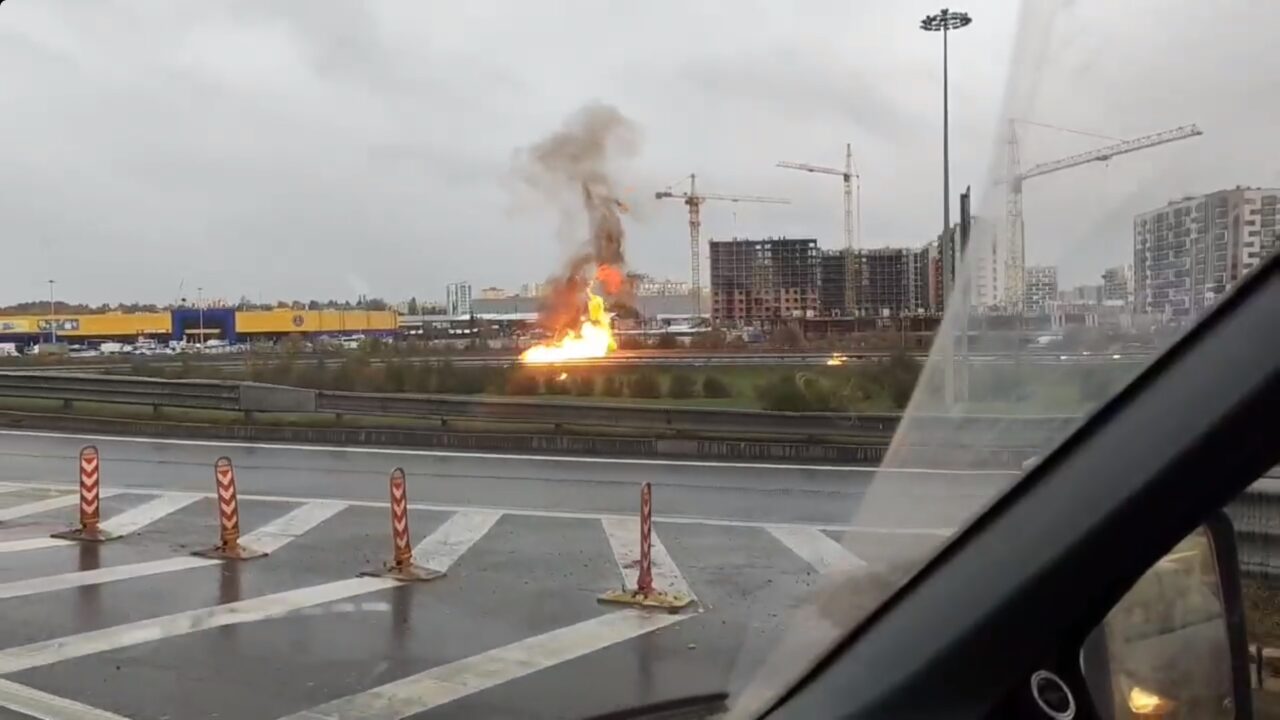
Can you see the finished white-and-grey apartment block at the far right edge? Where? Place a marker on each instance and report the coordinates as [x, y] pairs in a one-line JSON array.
[[1190, 253]]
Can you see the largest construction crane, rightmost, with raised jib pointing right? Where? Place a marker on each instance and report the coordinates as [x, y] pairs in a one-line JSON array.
[[1014, 262]]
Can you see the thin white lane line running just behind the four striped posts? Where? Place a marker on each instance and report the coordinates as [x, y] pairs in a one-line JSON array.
[[536, 513]]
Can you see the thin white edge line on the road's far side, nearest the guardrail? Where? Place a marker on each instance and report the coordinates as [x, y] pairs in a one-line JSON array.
[[510, 457]]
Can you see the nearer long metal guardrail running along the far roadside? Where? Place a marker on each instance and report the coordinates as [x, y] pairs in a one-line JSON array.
[[1009, 432]]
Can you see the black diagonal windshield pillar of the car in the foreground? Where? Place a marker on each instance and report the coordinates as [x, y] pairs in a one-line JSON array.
[[1050, 558]]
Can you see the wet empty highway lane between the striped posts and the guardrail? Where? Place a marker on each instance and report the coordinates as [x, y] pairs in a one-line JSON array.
[[751, 493]]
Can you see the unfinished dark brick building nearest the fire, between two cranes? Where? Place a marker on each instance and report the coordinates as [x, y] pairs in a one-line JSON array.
[[762, 281]]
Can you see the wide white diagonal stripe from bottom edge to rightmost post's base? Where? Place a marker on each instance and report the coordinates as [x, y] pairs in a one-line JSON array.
[[438, 686]]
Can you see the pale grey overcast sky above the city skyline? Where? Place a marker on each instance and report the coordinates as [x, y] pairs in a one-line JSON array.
[[324, 149]]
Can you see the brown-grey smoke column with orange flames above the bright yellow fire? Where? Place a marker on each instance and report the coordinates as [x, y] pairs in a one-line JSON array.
[[572, 170]]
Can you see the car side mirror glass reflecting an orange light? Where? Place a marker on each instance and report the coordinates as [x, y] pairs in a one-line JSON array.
[[1176, 644]]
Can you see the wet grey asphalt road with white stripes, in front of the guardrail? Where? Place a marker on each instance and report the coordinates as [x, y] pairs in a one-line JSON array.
[[513, 631]]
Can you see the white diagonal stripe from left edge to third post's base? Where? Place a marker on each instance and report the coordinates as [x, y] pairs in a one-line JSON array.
[[253, 610]]
